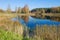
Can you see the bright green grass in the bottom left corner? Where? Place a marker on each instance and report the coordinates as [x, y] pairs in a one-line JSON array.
[[6, 35]]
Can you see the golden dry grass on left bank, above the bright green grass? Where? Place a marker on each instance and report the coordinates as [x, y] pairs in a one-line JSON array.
[[10, 25]]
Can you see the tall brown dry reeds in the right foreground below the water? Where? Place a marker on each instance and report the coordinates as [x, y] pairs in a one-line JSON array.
[[46, 33]]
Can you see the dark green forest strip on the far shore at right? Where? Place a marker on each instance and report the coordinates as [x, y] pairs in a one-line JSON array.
[[47, 10]]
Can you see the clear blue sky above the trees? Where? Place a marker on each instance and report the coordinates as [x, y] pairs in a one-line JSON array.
[[31, 3]]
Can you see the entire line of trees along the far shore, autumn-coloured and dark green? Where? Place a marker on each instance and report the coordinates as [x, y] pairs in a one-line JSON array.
[[26, 9]]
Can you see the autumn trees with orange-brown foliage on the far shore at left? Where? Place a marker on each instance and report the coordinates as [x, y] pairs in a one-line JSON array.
[[25, 9]]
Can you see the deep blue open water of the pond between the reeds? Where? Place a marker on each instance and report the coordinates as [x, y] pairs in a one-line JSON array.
[[32, 22]]
